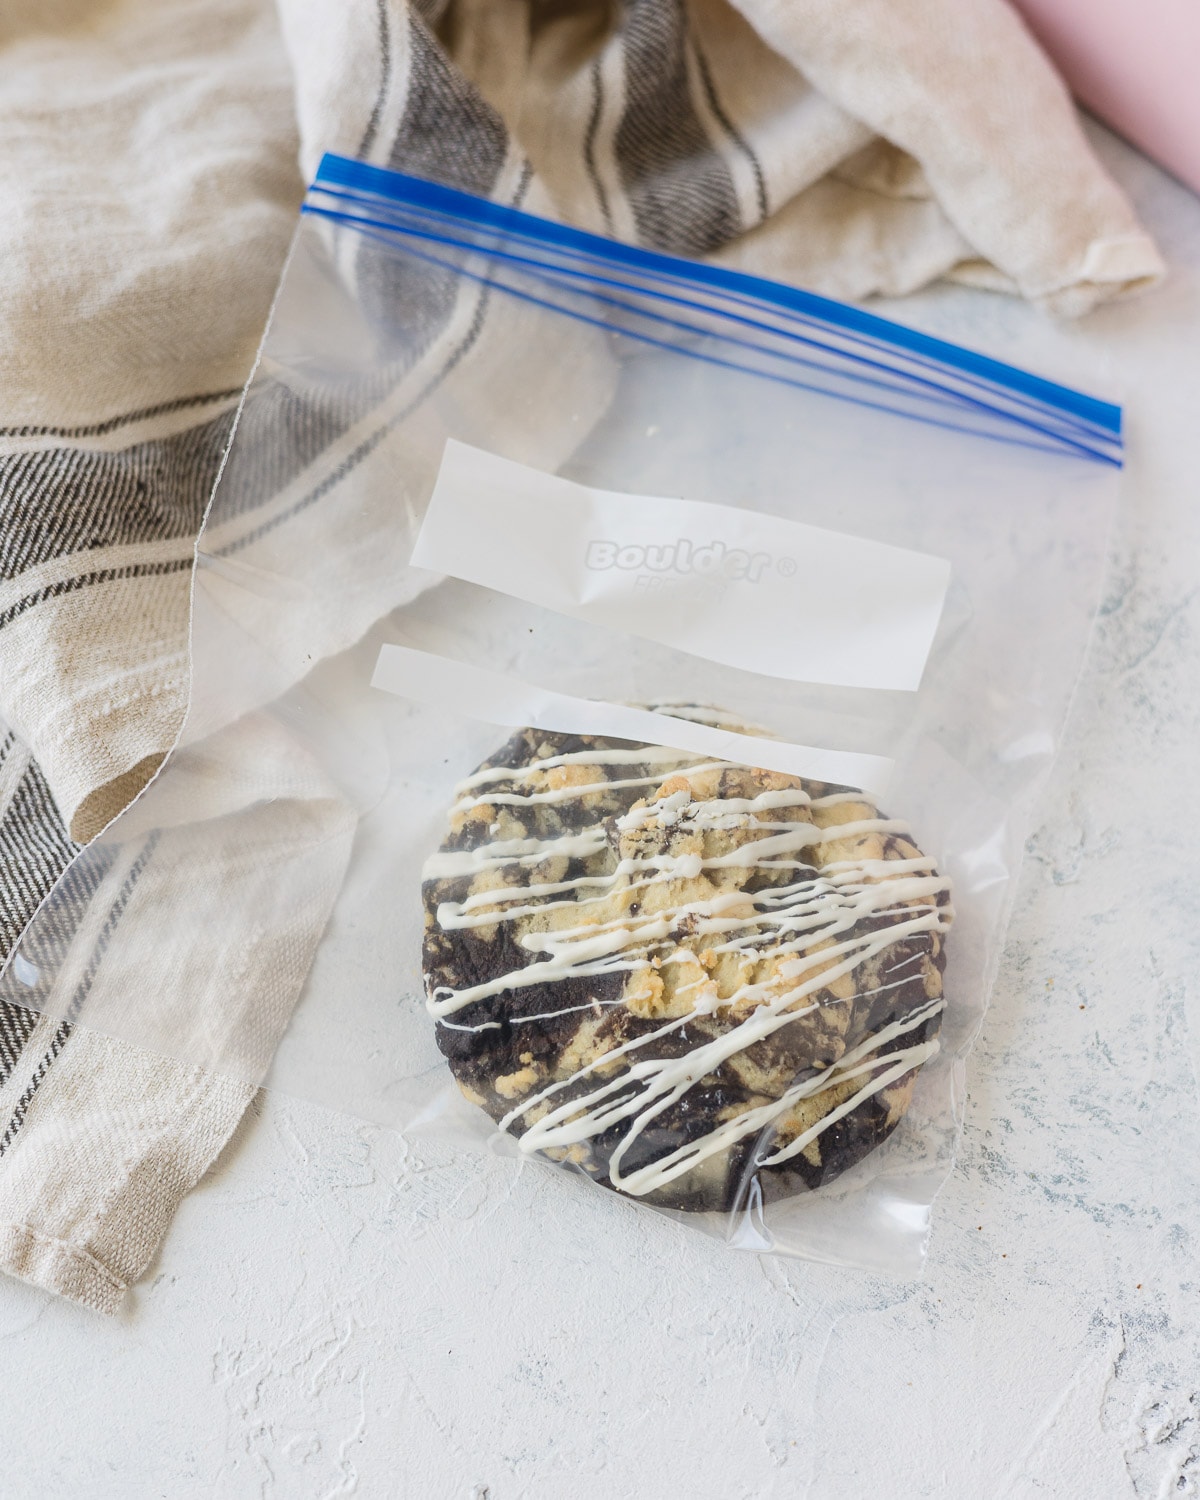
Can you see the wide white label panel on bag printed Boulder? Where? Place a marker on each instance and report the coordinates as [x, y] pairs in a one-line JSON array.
[[731, 586]]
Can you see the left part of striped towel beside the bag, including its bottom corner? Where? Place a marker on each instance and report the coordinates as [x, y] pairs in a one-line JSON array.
[[149, 187]]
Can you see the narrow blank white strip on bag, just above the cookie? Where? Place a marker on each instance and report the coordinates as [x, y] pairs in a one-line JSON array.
[[499, 700]]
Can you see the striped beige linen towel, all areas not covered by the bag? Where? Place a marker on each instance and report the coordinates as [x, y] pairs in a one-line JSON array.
[[149, 181]]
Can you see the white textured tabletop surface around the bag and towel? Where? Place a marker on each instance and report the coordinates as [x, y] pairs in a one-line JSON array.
[[335, 1315]]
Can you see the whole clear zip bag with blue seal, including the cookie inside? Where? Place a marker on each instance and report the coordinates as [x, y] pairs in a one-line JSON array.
[[620, 694]]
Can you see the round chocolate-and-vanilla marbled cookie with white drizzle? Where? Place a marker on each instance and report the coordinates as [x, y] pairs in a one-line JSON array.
[[691, 980]]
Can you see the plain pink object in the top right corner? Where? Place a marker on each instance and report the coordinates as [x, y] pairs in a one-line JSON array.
[[1136, 65]]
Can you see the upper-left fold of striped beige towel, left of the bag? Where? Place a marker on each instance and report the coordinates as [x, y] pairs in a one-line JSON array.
[[149, 185]]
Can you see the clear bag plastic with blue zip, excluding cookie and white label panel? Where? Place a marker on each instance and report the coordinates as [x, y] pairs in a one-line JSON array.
[[259, 910]]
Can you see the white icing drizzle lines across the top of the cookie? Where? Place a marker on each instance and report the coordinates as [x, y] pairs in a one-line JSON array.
[[823, 923]]
